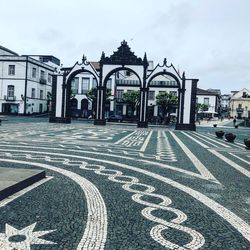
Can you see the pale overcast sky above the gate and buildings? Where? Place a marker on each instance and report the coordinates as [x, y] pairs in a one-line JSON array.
[[209, 39]]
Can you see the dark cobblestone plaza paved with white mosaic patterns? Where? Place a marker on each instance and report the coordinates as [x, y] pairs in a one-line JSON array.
[[120, 187]]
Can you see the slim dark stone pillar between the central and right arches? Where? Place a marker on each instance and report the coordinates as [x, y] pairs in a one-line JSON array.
[[143, 121]]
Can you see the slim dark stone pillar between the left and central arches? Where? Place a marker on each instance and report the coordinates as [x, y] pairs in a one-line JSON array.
[[100, 106]]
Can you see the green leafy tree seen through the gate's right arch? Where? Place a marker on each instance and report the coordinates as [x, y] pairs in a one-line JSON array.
[[167, 101]]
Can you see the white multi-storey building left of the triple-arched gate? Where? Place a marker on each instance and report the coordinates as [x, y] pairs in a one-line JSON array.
[[25, 82]]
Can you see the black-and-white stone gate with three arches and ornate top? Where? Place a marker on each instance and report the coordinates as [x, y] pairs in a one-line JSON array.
[[123, 59]]
